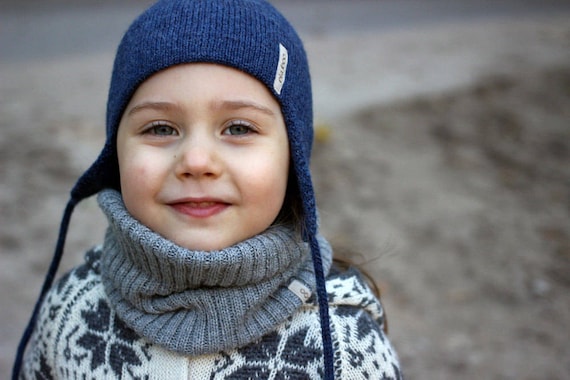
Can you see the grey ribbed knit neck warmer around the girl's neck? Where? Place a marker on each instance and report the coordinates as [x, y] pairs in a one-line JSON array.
[[196, 302]]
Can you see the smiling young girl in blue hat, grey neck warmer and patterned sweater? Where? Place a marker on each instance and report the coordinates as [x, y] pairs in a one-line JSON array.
[[212, 265]]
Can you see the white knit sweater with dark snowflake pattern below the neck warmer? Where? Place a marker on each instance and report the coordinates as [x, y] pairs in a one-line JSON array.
[[79, 336]]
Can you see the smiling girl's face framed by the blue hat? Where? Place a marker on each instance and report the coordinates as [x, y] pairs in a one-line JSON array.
[[203, 156]]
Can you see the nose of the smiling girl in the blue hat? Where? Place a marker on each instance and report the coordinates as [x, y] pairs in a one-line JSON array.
[[198, 157]]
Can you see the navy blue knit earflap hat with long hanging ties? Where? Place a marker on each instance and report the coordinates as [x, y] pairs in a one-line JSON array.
[[249, 35]]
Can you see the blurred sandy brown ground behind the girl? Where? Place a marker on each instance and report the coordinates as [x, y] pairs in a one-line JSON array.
[[441, 165]]
